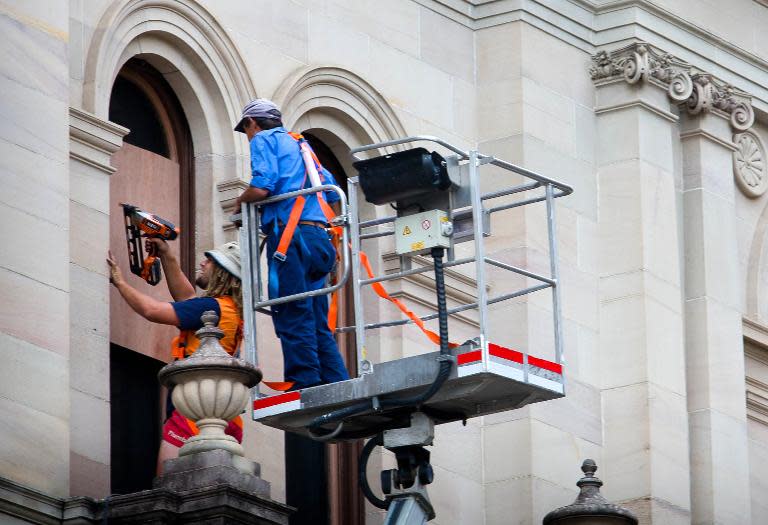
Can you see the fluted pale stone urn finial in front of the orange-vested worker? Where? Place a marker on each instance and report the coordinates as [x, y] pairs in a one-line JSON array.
[[211, 388]]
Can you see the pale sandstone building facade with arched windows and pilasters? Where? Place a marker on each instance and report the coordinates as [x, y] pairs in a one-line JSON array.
[[656, 112]]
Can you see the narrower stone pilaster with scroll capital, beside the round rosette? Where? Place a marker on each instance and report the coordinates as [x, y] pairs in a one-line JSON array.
[[720, 491]]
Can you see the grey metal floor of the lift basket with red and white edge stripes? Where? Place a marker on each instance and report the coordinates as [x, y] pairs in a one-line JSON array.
[[506, 380]]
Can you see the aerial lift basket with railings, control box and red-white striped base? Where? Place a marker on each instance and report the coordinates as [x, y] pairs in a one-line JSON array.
[[439, 204]]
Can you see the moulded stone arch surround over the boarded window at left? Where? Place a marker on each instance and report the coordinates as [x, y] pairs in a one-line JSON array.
[[203, 67]]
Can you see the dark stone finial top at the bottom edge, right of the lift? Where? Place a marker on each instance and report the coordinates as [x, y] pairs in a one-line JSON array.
[[590, 507]]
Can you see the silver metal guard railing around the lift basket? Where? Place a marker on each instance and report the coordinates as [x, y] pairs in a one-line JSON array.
[[354, 231]]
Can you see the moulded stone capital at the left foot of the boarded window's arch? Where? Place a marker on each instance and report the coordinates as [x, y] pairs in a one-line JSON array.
[[92, 140]]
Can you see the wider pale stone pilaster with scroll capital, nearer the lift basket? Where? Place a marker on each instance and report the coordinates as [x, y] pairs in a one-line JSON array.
[[642, 353]]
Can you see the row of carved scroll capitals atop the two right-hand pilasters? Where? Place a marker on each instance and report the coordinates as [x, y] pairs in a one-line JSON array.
[[700, 92]]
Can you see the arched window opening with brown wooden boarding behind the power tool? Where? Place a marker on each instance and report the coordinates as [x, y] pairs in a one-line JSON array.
[[154, 173]]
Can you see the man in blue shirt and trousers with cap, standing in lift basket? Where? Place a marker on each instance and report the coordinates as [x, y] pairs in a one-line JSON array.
[[310, 354]]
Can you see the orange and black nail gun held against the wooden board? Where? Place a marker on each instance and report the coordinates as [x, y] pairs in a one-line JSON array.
[[140, 224]]
